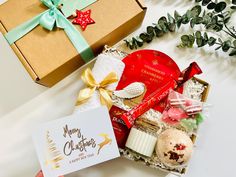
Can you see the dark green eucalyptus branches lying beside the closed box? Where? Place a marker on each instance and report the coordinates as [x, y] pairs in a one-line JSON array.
[[213, 16]]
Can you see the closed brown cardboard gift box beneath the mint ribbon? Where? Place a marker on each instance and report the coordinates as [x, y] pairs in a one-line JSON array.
[[50, 56]]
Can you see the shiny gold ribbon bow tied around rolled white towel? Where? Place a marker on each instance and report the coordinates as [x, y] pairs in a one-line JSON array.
[[92, 85]]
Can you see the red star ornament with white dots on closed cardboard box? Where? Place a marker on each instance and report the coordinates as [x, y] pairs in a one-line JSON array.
[[83, 19]]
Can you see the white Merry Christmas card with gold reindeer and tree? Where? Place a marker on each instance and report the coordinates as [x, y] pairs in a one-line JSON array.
[[75, 142]]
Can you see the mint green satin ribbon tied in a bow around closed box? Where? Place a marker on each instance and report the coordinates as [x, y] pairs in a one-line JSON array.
[[48, 20]]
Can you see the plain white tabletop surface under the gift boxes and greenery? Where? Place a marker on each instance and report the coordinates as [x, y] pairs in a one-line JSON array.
[[24, 104]]
